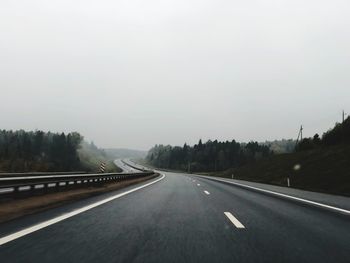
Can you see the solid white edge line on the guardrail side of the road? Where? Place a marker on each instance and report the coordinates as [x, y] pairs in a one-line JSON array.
[[26, 231]]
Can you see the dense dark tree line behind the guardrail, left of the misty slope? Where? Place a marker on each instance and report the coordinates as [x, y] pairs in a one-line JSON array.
[[23, 151]]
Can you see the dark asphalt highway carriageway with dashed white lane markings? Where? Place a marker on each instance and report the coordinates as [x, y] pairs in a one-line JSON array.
[[180, 218]]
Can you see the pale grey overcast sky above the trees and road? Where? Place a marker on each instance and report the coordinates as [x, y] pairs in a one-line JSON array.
[[134, 73]]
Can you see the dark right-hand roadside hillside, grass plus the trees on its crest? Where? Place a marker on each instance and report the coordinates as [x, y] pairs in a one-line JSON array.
[[324, 164]]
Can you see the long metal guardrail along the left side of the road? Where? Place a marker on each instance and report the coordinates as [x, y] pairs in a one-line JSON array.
[[15, 185]]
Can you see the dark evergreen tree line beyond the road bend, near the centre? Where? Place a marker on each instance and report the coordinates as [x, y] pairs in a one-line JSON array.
[[207, 157]]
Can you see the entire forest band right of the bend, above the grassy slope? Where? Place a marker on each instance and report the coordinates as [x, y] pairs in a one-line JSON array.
[[215, 156]]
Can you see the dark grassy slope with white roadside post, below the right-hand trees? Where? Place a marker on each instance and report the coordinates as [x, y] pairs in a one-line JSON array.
[[322, 170]]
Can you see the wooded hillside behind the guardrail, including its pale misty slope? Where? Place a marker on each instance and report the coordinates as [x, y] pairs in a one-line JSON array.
[[38, 151]]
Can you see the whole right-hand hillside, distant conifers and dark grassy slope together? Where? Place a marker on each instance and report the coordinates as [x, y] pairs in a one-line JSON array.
[[323, 162]]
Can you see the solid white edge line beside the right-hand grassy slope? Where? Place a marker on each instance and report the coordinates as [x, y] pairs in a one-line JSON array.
[[284, 195]]
